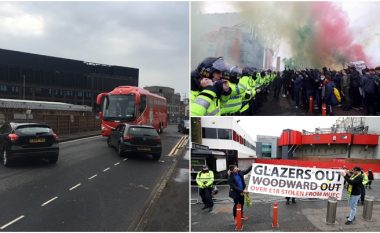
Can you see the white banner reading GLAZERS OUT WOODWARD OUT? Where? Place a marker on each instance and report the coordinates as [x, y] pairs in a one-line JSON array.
[[300, 182]]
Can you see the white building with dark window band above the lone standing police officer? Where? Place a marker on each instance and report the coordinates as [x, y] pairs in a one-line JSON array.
[[225, 133]]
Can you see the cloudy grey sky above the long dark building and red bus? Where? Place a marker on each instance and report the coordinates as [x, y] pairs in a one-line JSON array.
[[150, 36]]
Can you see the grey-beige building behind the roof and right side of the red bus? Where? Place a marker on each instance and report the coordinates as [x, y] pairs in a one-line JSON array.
[[173, 101]]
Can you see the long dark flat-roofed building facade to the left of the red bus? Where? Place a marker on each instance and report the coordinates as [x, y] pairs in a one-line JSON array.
[[45, 78]]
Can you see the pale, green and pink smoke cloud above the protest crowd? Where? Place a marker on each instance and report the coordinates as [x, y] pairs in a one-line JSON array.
[[318, 33]]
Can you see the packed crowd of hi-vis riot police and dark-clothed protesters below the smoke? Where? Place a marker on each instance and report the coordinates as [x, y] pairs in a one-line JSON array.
[[217, 89]]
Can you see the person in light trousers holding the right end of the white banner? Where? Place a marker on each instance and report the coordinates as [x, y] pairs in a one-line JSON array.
[[353, 191]]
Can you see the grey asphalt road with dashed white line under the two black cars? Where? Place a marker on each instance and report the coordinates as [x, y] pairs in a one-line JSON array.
[[91, 188]]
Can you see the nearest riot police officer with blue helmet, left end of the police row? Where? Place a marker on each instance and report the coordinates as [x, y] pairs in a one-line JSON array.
[[207, 103]]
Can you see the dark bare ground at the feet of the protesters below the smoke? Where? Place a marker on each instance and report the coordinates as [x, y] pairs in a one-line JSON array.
[[285, 106]]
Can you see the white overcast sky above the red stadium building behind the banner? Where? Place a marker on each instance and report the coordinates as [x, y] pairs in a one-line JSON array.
[[273, 125]]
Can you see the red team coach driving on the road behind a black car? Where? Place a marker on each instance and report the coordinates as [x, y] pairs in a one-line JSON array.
[[132, 105]]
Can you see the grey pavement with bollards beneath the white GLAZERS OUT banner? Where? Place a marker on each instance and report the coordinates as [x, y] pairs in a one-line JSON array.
[[305, 215]]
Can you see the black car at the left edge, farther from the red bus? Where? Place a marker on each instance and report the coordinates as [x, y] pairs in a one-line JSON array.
[[28, 140]]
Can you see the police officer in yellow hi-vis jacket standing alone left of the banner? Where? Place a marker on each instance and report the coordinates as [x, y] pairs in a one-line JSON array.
[[205, 180]]
